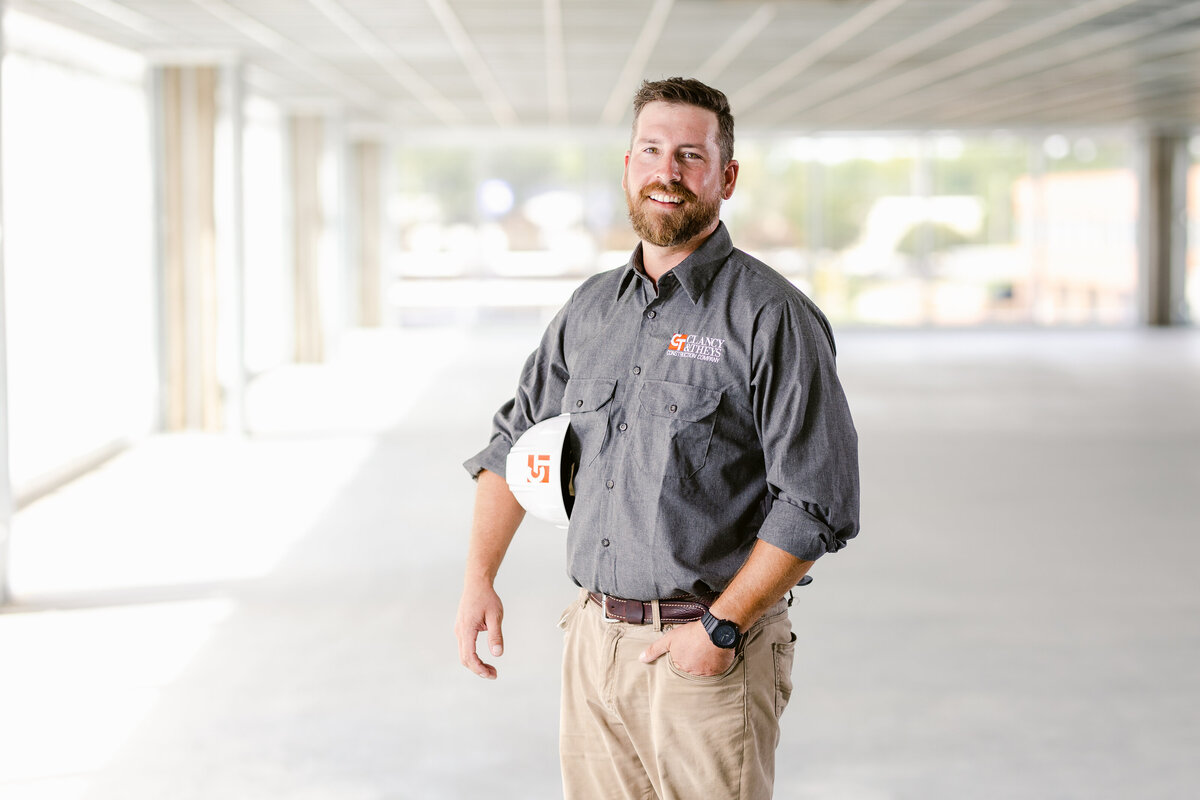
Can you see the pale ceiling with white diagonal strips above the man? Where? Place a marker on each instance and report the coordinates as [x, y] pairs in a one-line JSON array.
[[801, 65]]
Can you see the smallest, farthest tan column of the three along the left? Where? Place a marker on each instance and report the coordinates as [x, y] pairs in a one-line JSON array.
[[368, 225]]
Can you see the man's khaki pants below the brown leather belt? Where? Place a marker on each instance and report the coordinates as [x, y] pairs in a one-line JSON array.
[[637, 732]]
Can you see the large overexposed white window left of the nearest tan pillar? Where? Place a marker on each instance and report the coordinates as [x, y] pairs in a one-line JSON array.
[[81, 298]]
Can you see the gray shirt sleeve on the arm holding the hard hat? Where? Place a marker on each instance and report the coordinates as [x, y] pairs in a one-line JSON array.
[[538, 398]]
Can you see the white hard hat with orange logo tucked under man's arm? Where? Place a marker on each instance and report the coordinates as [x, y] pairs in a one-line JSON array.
[[541, 471]]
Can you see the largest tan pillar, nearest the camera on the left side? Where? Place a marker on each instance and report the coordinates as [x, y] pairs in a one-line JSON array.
[[189, 285]]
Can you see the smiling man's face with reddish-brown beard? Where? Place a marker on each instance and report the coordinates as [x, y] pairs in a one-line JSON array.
[[674, 179]]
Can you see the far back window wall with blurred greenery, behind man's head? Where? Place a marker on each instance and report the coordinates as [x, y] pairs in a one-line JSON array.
[[947, 230]]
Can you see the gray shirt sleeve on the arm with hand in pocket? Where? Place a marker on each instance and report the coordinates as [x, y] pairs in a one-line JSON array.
[[807, 434]]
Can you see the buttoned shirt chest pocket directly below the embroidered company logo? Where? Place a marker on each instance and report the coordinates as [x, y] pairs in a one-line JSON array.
[[676, 423]]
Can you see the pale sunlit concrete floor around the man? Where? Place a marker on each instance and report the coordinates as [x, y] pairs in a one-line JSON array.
[[262, 618]]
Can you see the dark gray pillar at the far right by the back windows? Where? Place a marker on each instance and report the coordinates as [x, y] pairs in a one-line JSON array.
[[1163, 228]]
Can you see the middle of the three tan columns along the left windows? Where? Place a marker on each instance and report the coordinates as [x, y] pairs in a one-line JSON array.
[[307, 226]]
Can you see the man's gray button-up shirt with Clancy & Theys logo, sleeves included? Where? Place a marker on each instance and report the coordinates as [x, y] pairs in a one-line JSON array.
[[706, 416]]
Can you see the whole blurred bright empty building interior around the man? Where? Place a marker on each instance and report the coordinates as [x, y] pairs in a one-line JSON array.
[[271, 266]]
